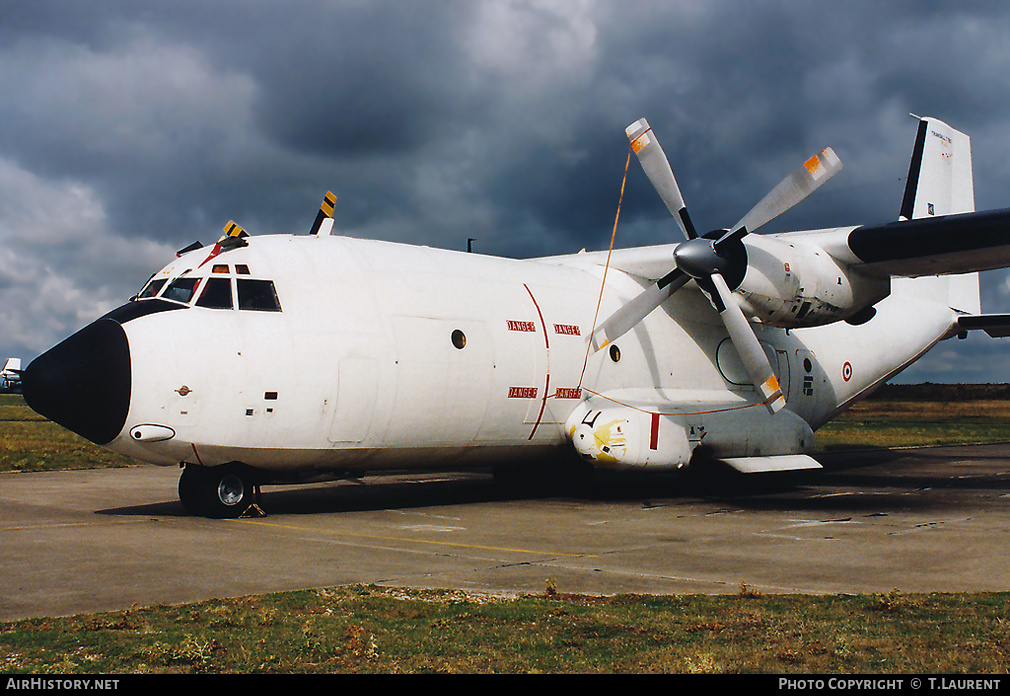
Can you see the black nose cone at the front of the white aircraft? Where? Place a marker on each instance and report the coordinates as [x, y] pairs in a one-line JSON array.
[[84, 383]]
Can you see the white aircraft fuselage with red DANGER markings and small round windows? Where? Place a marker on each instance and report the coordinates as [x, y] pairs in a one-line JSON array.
[[389, 356]]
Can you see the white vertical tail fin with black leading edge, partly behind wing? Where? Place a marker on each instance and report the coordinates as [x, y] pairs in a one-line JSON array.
[[941, 183]]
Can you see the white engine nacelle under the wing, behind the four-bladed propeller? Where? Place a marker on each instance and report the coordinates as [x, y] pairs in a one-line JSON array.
[[794, 284]]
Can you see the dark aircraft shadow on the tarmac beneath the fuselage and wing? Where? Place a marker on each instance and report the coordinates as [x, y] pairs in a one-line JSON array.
[[843, 485]]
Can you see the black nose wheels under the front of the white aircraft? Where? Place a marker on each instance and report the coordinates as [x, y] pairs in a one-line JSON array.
[[221, 492]]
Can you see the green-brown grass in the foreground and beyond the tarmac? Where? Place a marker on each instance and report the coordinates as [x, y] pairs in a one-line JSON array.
[[372, 630]]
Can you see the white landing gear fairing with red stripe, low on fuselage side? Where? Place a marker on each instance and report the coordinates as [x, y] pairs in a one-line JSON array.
[[614, 434]]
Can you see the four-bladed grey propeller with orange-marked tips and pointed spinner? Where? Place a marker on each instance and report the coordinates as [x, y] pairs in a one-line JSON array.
[[715, 260]]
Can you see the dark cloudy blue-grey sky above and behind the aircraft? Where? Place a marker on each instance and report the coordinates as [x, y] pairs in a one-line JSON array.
[[130, 130]]
